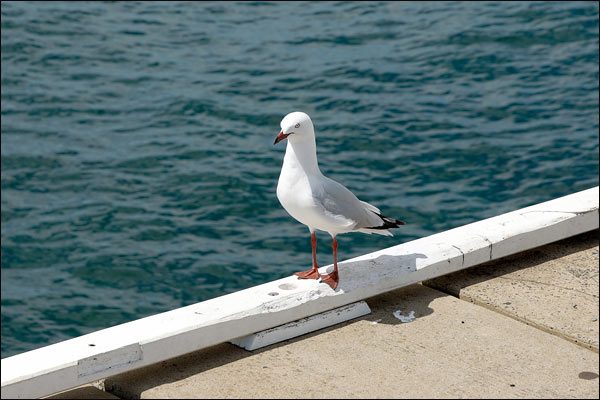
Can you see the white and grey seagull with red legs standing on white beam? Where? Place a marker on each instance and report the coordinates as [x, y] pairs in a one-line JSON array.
[[317, 201]]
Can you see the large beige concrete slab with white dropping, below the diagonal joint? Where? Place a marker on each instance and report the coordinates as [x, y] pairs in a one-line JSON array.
[[453, 349]]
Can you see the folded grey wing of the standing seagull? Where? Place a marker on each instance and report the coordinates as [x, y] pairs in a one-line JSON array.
[[336, 199]]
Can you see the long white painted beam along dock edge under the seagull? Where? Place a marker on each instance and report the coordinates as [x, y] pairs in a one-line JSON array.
[[159, 337]]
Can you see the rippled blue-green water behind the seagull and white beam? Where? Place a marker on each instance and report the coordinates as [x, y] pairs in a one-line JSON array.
[[138, 172]]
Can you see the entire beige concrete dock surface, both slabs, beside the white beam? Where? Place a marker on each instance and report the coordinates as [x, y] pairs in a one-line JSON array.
[[522, 326]]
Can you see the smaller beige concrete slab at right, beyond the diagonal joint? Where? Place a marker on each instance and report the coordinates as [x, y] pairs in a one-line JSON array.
[[554, 288]]
